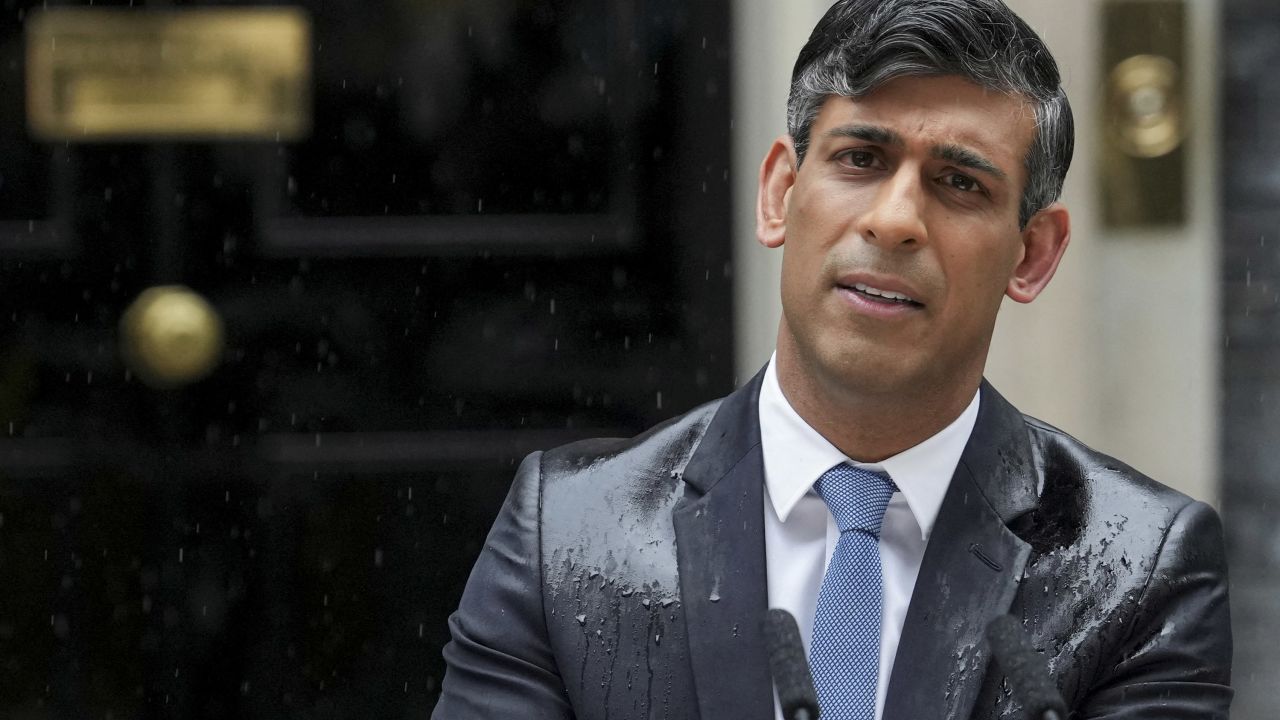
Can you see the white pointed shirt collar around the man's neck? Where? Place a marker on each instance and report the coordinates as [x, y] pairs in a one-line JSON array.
[[797, 455]]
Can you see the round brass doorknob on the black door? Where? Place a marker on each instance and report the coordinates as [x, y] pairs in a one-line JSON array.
[[171, 338]]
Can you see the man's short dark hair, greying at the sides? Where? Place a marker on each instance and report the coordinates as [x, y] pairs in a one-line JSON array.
[[862, 44]]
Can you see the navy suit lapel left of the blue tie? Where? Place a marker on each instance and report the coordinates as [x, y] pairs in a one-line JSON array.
[[720, 546]]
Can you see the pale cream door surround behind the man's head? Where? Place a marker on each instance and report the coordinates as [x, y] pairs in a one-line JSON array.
[[1123, 349]]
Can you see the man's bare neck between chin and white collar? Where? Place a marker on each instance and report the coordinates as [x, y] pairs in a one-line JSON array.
[[872, 425]]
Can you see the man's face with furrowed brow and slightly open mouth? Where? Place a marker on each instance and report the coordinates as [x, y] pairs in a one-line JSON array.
[[902, 235]]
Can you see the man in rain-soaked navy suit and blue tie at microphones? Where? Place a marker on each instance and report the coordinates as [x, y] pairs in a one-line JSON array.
[[868, 480]]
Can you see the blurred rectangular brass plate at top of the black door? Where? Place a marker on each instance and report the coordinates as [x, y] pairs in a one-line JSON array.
[[112, 75]]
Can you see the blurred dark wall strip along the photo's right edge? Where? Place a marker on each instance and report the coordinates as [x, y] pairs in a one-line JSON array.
[[1251, 348]]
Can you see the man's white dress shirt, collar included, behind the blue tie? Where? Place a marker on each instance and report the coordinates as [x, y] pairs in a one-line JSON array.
[[801, 534]]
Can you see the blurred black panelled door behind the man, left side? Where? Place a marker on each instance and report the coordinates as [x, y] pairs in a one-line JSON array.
[[508, 229]]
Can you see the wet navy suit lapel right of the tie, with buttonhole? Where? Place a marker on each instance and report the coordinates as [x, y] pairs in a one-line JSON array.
[[971, 571]]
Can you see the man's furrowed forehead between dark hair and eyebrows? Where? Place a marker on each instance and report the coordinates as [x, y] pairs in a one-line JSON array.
[[940, 111]]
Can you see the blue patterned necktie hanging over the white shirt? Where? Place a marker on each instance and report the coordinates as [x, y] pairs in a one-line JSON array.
[[845, 650]]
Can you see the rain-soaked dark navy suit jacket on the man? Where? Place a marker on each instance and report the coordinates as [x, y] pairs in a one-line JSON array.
[[627, 580]]
